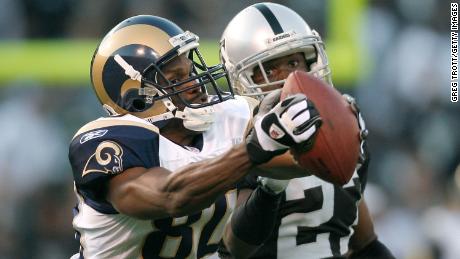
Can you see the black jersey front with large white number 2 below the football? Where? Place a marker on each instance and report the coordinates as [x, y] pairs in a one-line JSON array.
[[315, 220]]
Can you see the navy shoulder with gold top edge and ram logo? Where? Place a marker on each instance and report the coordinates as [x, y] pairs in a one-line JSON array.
[[109, 146]]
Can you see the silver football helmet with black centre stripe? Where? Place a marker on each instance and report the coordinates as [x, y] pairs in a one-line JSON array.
[[262, 32]]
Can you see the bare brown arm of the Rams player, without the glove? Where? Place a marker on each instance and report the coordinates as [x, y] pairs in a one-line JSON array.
[[158, 192]]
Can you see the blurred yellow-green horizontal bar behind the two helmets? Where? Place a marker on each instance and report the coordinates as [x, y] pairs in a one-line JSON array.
[[65, 63]]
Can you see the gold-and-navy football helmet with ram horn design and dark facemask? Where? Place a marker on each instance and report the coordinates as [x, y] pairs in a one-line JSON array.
[[126, 69]]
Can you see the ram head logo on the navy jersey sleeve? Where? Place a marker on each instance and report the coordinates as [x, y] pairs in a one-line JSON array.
[[107, 159]]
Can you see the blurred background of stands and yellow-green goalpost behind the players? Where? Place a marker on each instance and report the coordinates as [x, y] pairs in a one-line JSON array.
[[392, 55]]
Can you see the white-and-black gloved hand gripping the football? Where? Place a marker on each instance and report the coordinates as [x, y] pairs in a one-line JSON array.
[[277, 127]]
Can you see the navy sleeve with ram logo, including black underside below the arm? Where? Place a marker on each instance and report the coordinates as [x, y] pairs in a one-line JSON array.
[[97, 154]]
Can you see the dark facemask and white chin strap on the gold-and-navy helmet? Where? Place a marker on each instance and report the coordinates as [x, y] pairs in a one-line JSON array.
[[156, 87]]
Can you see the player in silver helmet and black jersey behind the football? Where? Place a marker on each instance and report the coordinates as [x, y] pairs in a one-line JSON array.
[[260, 47]]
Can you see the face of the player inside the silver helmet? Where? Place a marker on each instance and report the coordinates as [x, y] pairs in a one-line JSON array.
[[279, 69]]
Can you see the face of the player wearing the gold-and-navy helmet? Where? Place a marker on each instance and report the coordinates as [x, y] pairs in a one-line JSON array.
[[180, 69]]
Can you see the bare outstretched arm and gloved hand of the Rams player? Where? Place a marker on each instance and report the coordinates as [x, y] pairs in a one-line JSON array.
[[158, 192]]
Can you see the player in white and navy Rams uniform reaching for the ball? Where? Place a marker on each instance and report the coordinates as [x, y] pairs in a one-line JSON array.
[[156, 178]]
